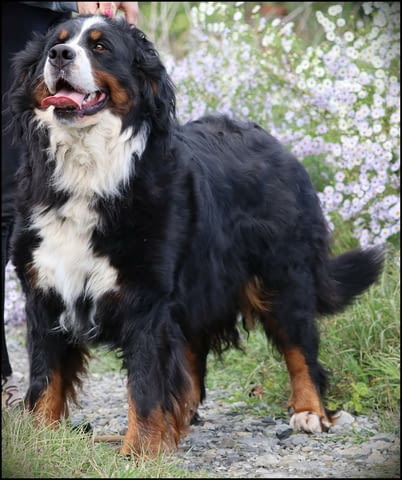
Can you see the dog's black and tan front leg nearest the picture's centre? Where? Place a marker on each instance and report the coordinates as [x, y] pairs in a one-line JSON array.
[[163, 391]]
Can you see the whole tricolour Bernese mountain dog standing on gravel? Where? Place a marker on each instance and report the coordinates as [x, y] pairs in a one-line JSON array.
[[157, 238]]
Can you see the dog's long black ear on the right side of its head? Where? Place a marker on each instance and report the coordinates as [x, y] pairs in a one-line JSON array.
[[155, 85]]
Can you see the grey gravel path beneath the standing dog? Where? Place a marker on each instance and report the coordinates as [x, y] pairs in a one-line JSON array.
[[230, 441]]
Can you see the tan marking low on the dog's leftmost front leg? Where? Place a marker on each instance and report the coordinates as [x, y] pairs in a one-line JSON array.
[[51, 405]]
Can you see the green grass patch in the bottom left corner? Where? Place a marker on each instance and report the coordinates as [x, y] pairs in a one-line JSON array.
[[31, 452]]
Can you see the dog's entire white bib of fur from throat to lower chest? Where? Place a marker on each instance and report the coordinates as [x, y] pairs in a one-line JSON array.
[[89, 163]]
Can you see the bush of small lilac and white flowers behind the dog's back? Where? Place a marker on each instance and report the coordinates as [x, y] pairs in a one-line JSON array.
[[335, 105]]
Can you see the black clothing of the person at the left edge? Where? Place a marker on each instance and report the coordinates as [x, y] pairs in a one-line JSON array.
[[18, 22]]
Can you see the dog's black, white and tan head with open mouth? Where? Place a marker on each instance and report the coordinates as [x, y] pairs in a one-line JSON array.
[[88, 65]]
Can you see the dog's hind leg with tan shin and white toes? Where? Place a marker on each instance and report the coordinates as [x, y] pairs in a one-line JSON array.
[[288, 318]]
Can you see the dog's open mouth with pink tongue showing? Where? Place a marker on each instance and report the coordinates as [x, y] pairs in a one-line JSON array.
[[67, 100]]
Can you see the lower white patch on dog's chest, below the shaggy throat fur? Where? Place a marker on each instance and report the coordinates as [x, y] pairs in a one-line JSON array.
[[64, 260]]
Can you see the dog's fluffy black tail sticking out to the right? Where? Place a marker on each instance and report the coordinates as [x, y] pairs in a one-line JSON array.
[[350, 274]]
